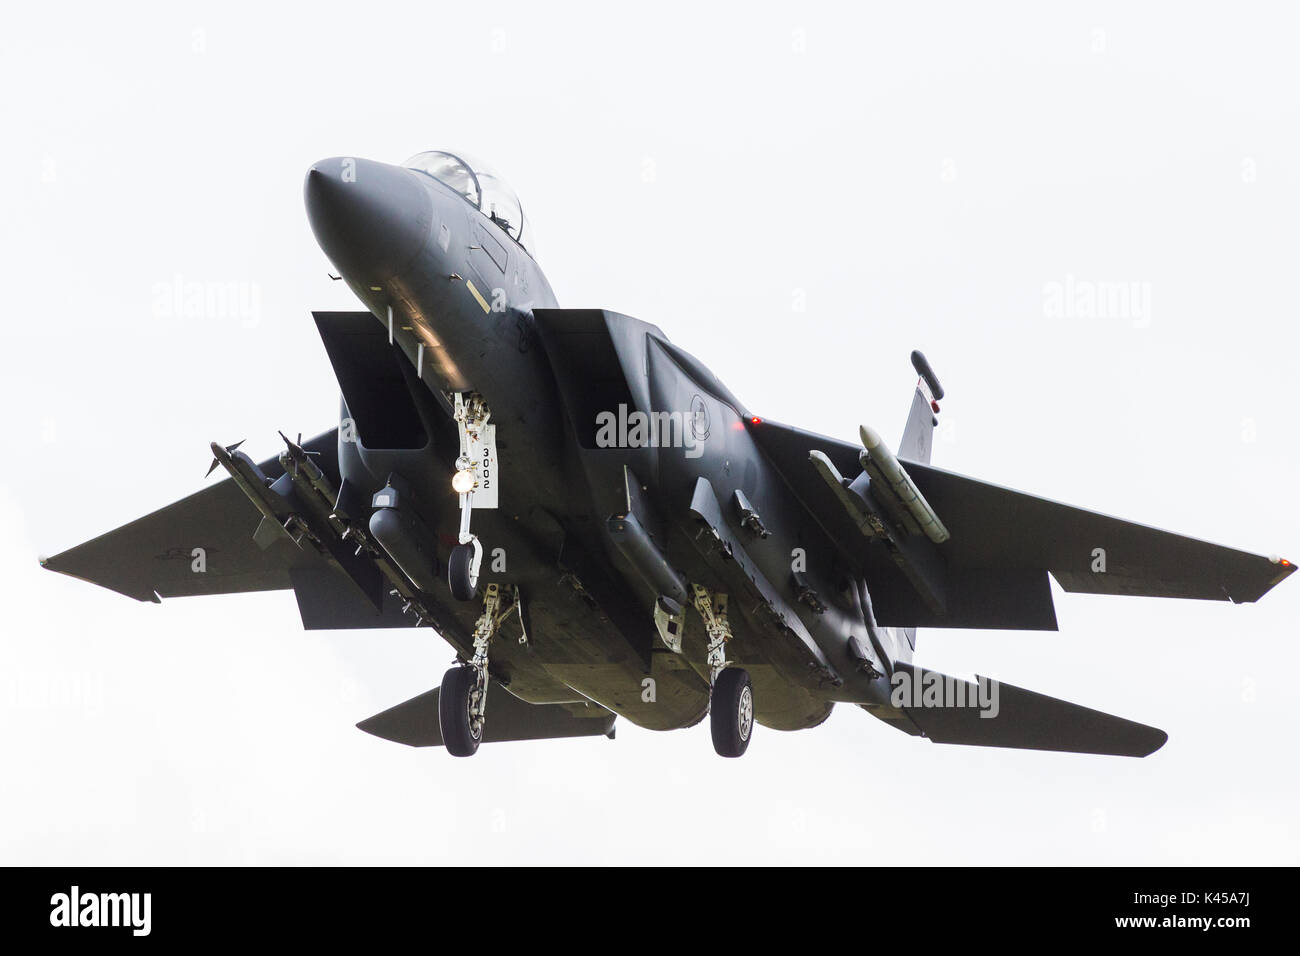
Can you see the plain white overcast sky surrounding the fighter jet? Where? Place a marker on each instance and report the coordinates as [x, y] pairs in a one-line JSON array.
[[917, 176]]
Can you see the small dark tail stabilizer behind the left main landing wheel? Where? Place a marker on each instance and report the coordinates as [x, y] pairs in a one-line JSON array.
[[415, 723]]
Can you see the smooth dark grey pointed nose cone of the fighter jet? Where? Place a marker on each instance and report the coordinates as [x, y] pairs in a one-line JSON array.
[[371, 219]]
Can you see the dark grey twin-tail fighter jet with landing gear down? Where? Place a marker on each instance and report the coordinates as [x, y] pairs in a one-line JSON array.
[[600, 529]]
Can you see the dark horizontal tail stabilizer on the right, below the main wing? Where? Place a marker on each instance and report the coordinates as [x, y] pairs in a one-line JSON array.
[[1020, 720]]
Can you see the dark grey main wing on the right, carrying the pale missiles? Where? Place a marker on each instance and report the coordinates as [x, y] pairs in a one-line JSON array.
[[998, 533]]
